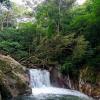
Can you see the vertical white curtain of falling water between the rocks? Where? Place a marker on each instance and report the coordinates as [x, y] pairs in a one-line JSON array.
[[39, 78]]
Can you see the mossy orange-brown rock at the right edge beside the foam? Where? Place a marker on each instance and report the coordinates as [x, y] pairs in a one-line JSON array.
[[89, 82]]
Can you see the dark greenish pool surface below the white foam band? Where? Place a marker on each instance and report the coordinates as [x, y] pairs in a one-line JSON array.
[[50, 97]]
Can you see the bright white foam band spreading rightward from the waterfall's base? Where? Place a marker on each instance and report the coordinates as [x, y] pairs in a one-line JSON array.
[[56, 91]]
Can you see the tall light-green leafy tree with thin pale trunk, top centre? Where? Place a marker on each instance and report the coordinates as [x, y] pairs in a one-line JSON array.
[[52, 15]]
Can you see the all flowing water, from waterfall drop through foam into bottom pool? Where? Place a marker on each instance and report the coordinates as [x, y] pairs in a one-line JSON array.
[[40, 83]]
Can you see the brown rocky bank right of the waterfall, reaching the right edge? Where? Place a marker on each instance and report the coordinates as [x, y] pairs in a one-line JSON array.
[[87, 81]]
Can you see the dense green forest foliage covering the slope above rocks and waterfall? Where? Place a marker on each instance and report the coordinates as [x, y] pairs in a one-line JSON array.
[[64, 35]]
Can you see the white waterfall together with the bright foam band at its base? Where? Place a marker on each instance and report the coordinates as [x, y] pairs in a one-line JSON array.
[[40, 83]]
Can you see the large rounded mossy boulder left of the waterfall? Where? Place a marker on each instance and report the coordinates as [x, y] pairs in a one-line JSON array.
[[13, 78]]
